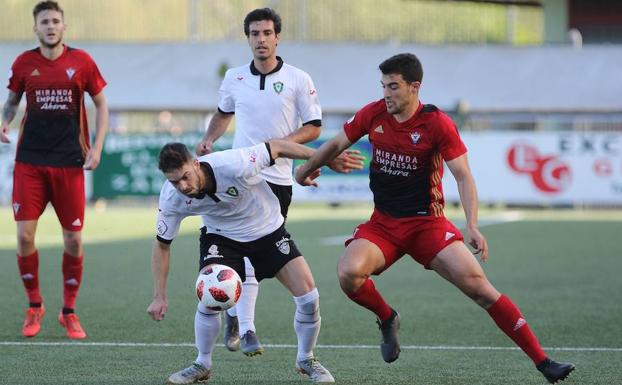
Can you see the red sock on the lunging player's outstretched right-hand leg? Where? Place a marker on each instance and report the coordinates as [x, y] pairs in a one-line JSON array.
[[509, 319]]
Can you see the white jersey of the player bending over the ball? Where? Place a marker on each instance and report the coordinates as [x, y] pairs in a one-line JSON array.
[[243, 208]]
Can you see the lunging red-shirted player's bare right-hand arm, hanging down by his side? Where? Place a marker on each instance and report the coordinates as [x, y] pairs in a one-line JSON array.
[[461, 171]]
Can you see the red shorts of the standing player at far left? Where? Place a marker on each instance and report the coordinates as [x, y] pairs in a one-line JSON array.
[[35, 186]]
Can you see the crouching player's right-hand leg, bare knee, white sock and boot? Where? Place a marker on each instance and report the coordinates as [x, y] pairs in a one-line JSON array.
[[297, 278]]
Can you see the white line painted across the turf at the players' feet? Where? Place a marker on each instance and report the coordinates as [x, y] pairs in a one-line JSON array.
[[287, 346]]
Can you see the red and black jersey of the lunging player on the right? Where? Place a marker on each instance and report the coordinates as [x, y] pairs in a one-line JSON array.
[[406, 169]]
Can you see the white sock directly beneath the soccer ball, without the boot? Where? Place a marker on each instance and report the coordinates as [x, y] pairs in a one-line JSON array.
[[206, 329]]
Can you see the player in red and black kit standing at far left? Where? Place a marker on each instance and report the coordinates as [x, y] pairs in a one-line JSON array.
[[53, 149]]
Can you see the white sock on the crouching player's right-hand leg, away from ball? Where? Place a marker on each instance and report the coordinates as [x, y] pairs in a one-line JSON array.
[[307, 323]]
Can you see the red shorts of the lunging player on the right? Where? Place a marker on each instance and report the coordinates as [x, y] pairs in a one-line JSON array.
[[420, 237]]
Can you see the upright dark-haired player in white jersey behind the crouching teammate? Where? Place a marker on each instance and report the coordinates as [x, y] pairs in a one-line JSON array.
[[270, 99]]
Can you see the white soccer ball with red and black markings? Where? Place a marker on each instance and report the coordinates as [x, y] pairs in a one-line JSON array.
[[219, 287]]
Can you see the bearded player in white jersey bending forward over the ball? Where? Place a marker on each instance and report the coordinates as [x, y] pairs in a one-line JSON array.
[[242, 219]]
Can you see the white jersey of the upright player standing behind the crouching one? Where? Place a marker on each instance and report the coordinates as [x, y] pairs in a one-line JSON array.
[[269, 106]]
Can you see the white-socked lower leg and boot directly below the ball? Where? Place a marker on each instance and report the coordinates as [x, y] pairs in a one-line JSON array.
[[206, 328]]
